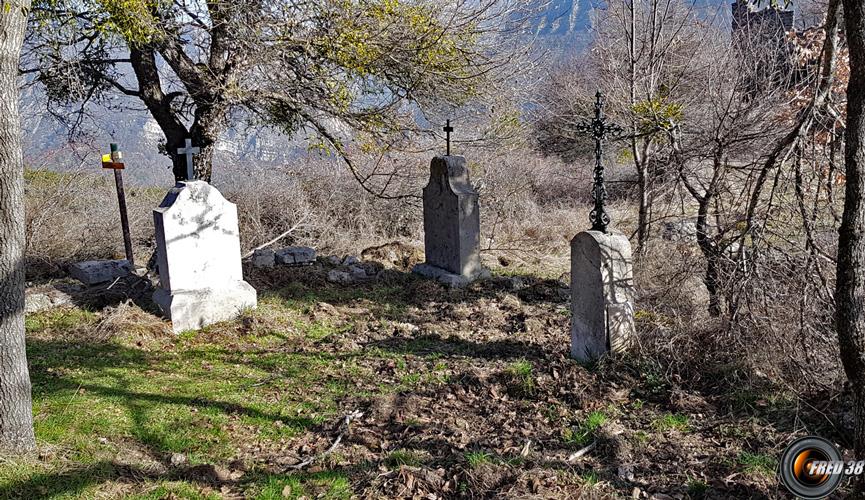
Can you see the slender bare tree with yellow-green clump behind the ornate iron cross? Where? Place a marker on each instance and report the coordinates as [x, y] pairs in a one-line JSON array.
[[642, 56]]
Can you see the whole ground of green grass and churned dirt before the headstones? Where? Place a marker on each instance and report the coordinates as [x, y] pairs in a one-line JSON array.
[[444, 391]]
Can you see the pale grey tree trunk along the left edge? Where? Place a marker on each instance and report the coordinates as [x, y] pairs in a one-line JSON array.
[[16, 417]]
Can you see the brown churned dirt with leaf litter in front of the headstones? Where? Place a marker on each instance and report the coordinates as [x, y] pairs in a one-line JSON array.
[[466, 394]]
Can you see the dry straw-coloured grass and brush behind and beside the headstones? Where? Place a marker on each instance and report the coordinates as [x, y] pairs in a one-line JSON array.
[[530, 209]]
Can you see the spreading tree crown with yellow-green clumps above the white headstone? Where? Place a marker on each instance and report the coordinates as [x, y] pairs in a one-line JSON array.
[[344, 70]]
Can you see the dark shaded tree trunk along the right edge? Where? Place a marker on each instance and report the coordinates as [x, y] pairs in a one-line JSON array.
[[850, 286]]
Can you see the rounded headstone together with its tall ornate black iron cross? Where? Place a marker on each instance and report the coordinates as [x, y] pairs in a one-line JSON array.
[[602, 288]]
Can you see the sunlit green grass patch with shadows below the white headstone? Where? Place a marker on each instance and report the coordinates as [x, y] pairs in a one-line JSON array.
[[202, 394]]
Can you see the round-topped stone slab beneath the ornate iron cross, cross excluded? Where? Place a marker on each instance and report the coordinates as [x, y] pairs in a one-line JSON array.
[[602, 294]]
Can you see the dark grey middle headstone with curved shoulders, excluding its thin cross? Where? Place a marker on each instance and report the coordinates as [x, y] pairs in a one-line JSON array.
[[451, 224]]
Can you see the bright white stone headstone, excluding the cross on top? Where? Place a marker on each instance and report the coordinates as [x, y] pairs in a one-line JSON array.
[[198, 252]]
